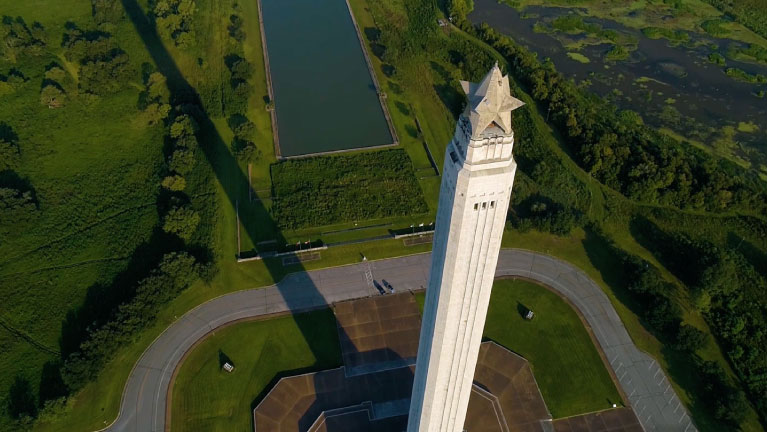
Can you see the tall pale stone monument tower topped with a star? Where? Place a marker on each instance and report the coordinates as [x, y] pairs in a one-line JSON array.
[[473, 201]]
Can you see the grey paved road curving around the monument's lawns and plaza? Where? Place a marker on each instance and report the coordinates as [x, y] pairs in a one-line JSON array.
[[144, 398]]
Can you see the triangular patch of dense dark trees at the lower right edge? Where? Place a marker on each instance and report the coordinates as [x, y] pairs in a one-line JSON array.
[[729, 291]]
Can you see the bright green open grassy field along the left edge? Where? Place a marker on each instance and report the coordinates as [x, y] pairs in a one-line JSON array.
[[95, 187]]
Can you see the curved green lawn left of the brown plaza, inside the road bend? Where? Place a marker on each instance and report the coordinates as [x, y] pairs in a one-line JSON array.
[[206, 398]]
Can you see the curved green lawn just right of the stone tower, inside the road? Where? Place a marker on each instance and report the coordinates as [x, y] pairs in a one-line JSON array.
[[555, 343]]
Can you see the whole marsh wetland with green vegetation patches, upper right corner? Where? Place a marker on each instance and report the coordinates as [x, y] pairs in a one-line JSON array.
[[692, 85]]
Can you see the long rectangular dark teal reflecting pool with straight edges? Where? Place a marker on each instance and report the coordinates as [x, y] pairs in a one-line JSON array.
[[324, 96]]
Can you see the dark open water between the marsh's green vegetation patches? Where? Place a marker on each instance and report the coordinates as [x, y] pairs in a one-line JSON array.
[[655, 73]]
